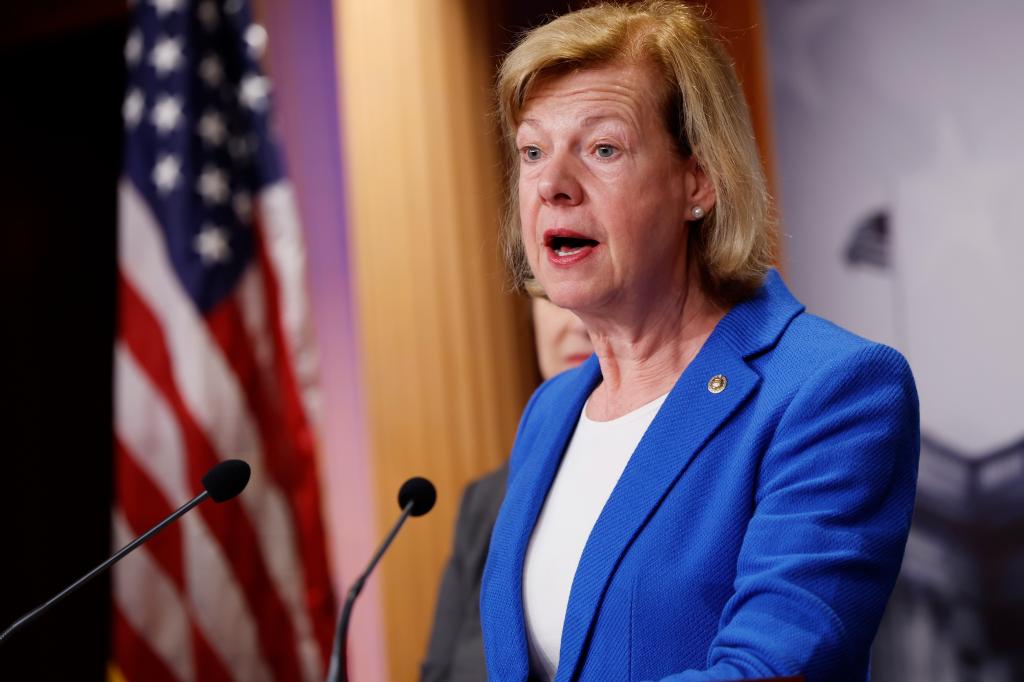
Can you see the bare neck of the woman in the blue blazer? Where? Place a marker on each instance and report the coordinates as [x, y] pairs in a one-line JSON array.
[[643, 358]]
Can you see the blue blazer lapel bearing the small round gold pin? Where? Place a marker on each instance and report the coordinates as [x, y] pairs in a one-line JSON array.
[[691, 416]]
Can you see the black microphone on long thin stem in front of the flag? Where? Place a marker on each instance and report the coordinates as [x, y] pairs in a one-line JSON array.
[[222, 483]]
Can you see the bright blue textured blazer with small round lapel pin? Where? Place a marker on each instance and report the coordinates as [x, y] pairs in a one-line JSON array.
[[755, 532]]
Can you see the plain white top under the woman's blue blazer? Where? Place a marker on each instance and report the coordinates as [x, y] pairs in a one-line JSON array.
[[593, 462]]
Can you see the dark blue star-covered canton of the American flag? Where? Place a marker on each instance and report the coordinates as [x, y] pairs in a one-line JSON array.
[[198, 146]]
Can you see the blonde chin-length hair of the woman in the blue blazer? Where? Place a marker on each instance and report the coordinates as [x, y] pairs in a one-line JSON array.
[[705, 110]]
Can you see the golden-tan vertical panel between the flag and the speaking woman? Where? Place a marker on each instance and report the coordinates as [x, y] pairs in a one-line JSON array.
[[447, 355]]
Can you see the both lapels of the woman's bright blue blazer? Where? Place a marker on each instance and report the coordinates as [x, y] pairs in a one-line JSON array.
[[687, 421]]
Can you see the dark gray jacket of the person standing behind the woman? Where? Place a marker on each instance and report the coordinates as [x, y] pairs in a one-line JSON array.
[[456, 652]]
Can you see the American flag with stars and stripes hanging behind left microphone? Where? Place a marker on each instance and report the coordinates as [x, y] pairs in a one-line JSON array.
[[215, 360]]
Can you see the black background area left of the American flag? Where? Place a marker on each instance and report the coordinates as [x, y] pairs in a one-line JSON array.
[[62, 75]]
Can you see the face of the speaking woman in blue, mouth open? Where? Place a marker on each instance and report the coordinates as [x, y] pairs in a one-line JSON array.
[[604, 194]]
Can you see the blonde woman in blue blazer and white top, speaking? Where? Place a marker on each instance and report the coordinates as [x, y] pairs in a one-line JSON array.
[[724, 490]]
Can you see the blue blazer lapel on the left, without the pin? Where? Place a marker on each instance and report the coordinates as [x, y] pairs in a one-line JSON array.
[[528, 489]]
